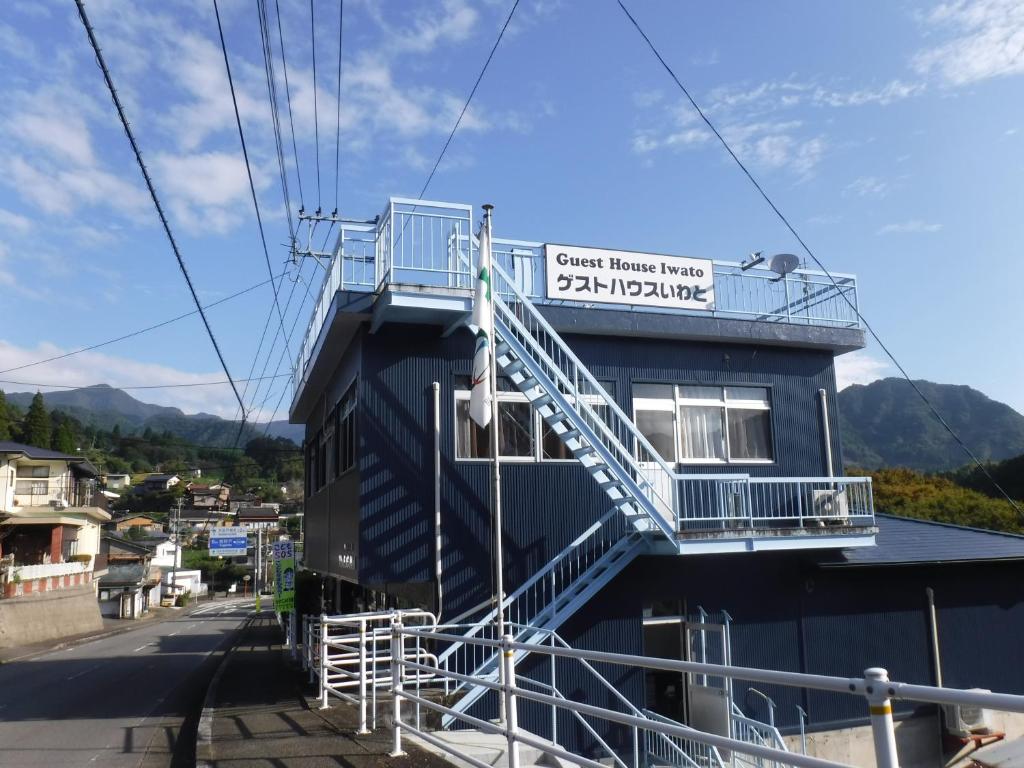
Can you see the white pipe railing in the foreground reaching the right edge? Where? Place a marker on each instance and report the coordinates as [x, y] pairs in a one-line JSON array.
[[875, 688]]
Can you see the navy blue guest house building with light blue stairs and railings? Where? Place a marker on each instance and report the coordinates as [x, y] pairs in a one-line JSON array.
[[670, 454]]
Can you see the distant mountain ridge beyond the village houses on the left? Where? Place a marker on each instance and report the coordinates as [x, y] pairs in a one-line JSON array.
[[105, 407]]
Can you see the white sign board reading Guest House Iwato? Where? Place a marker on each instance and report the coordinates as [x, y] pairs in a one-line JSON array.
[[598, 276]]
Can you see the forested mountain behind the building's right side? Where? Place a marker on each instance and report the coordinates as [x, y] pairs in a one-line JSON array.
[[886, 424]]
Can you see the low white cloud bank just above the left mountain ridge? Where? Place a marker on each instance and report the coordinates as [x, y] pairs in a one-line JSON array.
[[97, 368]]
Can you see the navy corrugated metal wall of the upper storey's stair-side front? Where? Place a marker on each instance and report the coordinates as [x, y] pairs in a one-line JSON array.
[[545, 505]]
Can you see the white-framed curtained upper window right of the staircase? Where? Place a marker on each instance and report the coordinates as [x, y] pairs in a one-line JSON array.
[[702, 424]]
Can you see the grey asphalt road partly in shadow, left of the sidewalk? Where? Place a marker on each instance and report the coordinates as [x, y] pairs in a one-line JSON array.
[[131, 700]]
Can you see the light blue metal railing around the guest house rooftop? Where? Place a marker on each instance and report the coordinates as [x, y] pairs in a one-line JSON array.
[[417, 243]]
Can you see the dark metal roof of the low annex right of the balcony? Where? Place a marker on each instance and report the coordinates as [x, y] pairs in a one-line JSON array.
[[904, 541]]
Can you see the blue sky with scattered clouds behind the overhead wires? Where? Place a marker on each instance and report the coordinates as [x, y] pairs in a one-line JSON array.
[[890, 134]]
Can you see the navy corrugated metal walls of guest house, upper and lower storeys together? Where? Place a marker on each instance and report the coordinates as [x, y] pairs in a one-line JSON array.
[[789, 613]]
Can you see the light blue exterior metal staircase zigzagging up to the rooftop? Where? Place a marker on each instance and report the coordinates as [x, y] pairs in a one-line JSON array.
[[607, 444]]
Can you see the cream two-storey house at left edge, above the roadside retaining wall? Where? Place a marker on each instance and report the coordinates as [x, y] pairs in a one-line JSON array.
[[52, 516]]
